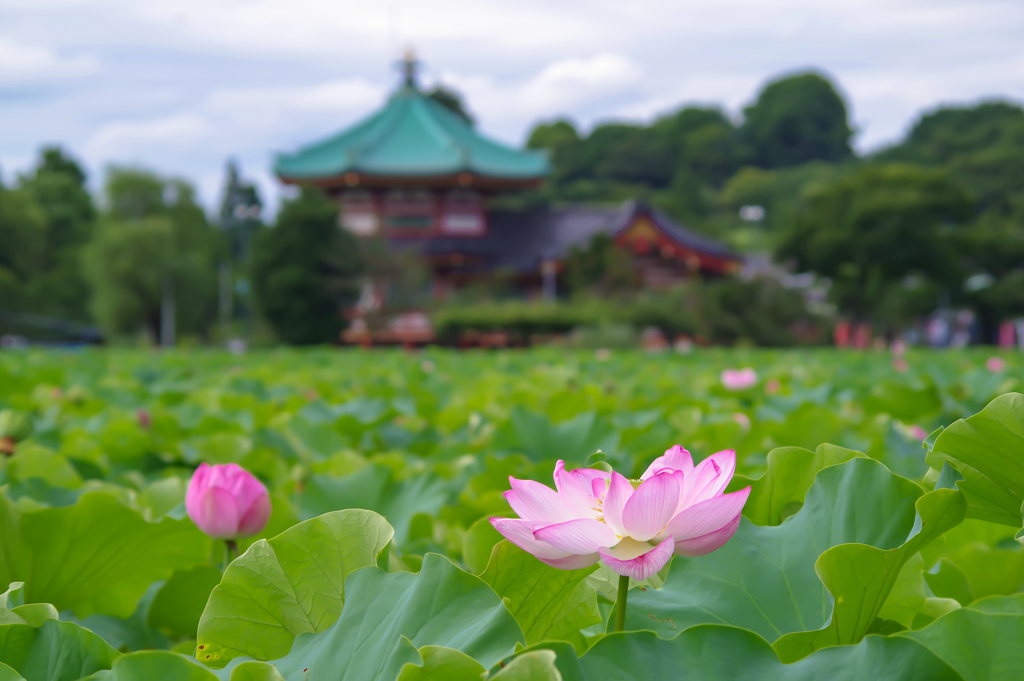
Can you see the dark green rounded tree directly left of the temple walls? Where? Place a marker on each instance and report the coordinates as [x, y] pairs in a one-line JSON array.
[[305, 271]]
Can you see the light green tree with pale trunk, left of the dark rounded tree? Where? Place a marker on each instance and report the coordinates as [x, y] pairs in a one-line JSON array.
[[153, 236]]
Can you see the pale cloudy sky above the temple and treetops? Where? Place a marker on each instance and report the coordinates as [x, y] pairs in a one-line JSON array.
[[181, 87]]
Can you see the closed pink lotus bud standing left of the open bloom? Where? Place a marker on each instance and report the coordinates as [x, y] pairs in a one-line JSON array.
[[227, 501]]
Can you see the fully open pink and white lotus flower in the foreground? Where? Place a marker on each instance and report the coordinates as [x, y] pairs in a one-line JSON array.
[[633, 527]]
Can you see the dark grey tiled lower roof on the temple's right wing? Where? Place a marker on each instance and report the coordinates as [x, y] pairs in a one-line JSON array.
[[522, 240]]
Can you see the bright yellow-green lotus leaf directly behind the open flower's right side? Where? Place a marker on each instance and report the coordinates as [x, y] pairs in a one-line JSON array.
[[780, 493]]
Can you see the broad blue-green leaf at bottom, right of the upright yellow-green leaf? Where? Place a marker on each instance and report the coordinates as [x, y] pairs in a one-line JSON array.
[[389, 616]]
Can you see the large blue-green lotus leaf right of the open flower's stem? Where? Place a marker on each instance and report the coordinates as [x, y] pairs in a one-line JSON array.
[[763, 579]]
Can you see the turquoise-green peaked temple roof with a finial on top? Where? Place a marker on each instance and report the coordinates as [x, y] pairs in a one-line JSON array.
[[413, 137]]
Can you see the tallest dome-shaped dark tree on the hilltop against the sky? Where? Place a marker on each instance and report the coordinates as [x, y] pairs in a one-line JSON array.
[[795, 120]]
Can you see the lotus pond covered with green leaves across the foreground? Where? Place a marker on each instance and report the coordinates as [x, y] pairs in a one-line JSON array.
[[878, 540]]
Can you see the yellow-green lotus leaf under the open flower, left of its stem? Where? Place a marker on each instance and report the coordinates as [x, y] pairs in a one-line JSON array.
[[549, 604]]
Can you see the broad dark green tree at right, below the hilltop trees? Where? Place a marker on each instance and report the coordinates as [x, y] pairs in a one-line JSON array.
[[876, 232]]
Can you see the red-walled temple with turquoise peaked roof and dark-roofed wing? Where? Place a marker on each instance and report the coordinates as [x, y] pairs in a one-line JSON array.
[[419, 175]]
